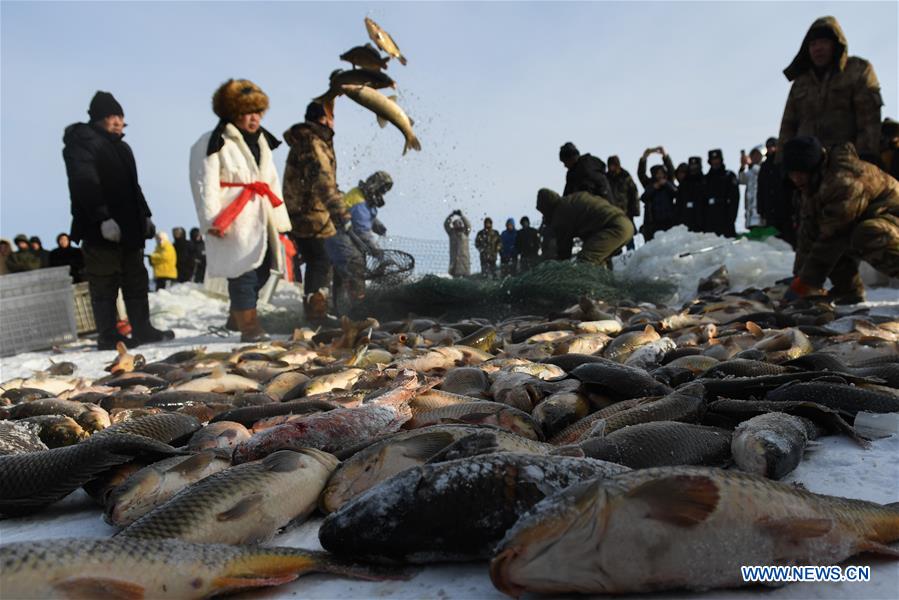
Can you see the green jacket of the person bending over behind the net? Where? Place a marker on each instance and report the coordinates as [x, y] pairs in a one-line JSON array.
[[577, 215]]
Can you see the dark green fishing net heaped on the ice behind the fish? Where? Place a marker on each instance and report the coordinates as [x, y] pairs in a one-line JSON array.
[[551, 286]]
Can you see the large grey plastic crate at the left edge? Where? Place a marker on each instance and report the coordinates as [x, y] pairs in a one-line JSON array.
[[36, 320]]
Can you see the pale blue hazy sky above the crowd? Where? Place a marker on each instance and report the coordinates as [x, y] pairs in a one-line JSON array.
[[494, 89]]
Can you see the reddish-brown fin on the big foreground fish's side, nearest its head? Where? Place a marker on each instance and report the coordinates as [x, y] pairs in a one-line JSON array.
[[685, 500]]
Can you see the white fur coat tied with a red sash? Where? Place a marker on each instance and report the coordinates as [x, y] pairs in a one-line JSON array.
[[243, 247]]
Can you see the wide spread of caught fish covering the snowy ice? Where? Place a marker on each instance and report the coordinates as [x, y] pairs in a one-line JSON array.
[[603, 449]]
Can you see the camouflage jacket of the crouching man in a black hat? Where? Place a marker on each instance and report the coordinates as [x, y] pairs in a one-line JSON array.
[[848, 190]]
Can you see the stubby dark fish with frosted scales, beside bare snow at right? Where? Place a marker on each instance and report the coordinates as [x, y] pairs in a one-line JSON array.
[[772, 444]]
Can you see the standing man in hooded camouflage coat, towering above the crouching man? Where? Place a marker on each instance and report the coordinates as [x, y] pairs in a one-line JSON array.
[[834, 97]]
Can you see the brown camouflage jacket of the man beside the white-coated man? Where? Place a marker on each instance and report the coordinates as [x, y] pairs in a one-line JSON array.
[[313, 201]]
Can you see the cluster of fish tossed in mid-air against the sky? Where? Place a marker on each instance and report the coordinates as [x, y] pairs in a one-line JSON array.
[[361, 83]]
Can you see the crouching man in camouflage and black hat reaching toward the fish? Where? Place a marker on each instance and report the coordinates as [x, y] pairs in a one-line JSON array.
[[850, 211]]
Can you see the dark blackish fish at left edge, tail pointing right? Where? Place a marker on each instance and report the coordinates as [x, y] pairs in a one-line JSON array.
[[34, 480]]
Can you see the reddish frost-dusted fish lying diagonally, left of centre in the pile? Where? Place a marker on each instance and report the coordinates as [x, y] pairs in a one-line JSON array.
[[331, 431]]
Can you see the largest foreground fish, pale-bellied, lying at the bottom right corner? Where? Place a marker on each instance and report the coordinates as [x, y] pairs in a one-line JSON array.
[[681, 528]]
